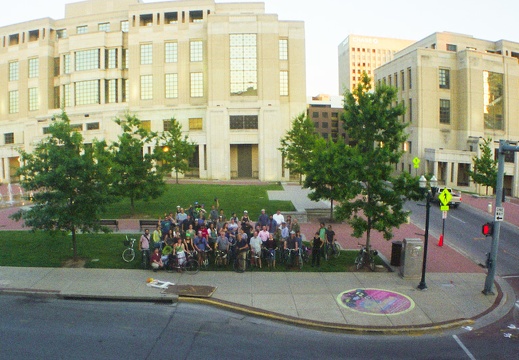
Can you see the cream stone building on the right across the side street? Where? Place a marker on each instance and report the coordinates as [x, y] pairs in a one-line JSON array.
[[457, 90]]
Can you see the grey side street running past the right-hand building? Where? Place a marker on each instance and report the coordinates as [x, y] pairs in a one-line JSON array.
[[463, 231]]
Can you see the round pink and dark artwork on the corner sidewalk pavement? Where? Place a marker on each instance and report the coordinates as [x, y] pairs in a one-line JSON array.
[[375, 301]]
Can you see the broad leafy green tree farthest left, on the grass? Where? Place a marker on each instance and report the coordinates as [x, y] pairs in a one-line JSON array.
[[70, 182]]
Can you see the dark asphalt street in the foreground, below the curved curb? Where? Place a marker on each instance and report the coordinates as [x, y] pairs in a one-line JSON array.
[[36, 328]]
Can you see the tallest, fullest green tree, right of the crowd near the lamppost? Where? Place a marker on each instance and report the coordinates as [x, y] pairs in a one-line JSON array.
[[370, 196]]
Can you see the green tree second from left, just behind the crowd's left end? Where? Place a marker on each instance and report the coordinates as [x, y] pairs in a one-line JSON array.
[[135, 175]]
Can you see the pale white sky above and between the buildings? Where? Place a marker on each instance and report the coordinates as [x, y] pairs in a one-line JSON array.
[[329, 22]]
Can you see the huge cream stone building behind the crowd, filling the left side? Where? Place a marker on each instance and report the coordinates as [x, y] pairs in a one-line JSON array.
[[231, 74]]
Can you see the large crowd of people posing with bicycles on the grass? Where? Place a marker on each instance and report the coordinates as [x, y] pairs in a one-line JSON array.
[[198, 231]]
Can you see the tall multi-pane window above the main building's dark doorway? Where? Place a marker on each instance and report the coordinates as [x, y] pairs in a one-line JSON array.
[[243, 64]]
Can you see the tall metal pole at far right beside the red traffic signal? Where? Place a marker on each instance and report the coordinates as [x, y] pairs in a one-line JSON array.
[[504, 146]]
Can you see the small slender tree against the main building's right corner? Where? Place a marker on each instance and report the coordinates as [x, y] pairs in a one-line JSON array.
[[297, 145]]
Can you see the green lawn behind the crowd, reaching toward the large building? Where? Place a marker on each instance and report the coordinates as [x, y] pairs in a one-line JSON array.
[[232, 198]]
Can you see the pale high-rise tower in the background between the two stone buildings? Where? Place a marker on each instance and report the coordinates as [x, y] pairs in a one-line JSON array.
[[358, 54]]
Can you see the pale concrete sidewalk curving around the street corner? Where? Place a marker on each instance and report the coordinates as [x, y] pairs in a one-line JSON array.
[[310, 299]]
